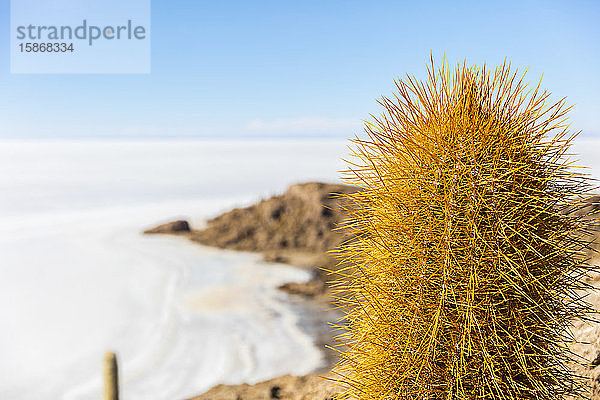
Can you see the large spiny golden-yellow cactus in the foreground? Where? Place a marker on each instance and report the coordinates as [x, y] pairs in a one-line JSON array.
[[465, 268]]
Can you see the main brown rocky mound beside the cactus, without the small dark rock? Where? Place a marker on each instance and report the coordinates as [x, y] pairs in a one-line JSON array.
[[301, 219]]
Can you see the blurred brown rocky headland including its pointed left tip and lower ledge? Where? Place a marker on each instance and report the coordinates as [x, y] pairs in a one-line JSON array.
[[298, 227]]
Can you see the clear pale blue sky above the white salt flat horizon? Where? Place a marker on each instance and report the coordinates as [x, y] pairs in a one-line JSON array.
[[223, 69]]
